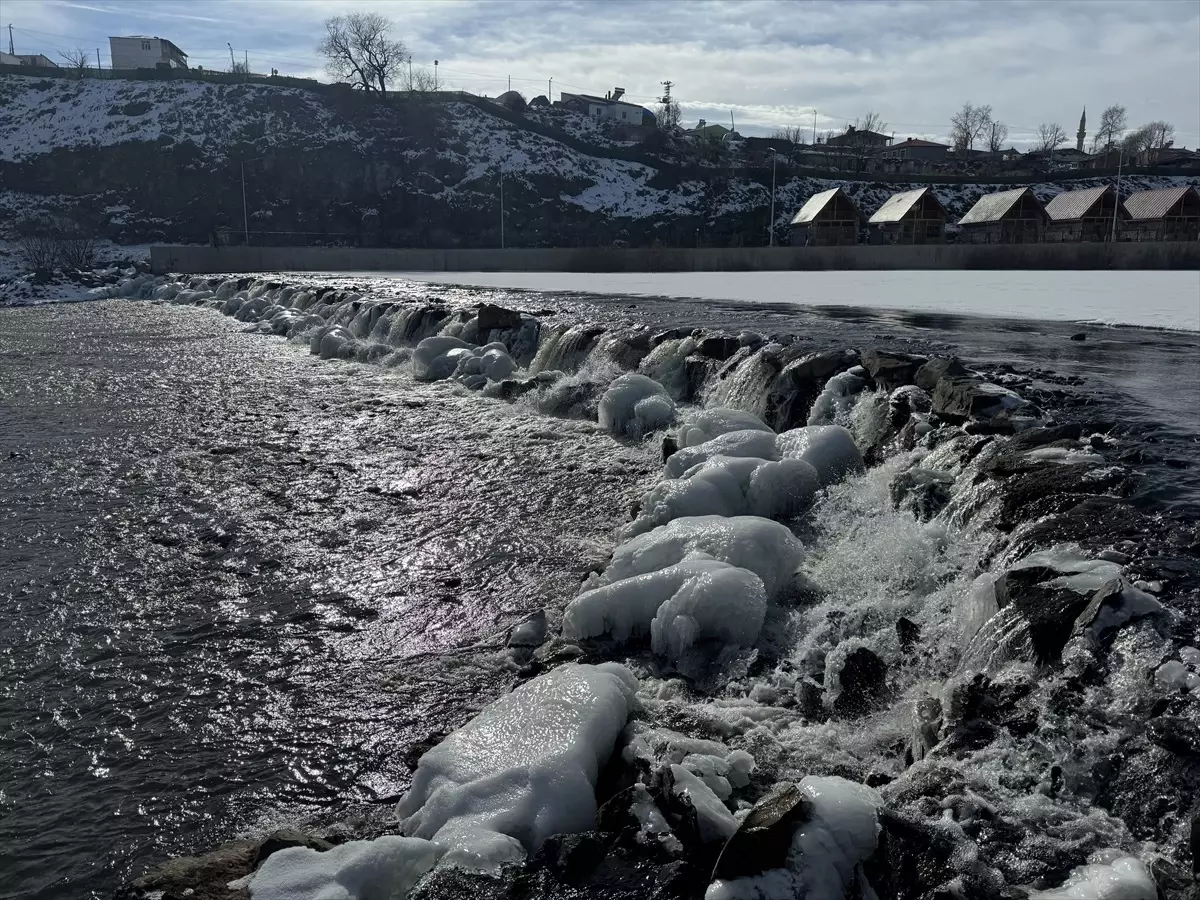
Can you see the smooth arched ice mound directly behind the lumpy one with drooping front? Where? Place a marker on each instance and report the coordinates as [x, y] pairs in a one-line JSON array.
[[767, 549]]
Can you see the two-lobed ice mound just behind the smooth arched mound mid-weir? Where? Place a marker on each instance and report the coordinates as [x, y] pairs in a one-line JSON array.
[[731, 487]]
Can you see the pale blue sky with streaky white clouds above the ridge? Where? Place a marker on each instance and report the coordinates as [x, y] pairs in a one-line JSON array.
[[769, 64]]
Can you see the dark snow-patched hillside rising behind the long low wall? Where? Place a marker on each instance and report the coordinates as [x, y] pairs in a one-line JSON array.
[[151, 161]]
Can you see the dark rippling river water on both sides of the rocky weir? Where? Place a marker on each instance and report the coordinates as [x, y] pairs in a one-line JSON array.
[[239, 583]]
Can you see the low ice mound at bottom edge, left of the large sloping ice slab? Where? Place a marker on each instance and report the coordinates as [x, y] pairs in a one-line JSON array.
[[381, 869]]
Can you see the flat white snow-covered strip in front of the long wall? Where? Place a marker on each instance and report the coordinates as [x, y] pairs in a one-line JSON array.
[[1149, 299]]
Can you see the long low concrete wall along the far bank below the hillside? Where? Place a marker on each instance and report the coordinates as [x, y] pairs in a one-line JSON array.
[[196, 260]]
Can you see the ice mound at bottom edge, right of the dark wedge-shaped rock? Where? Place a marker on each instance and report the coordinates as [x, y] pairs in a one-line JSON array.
[[841, 833]]
